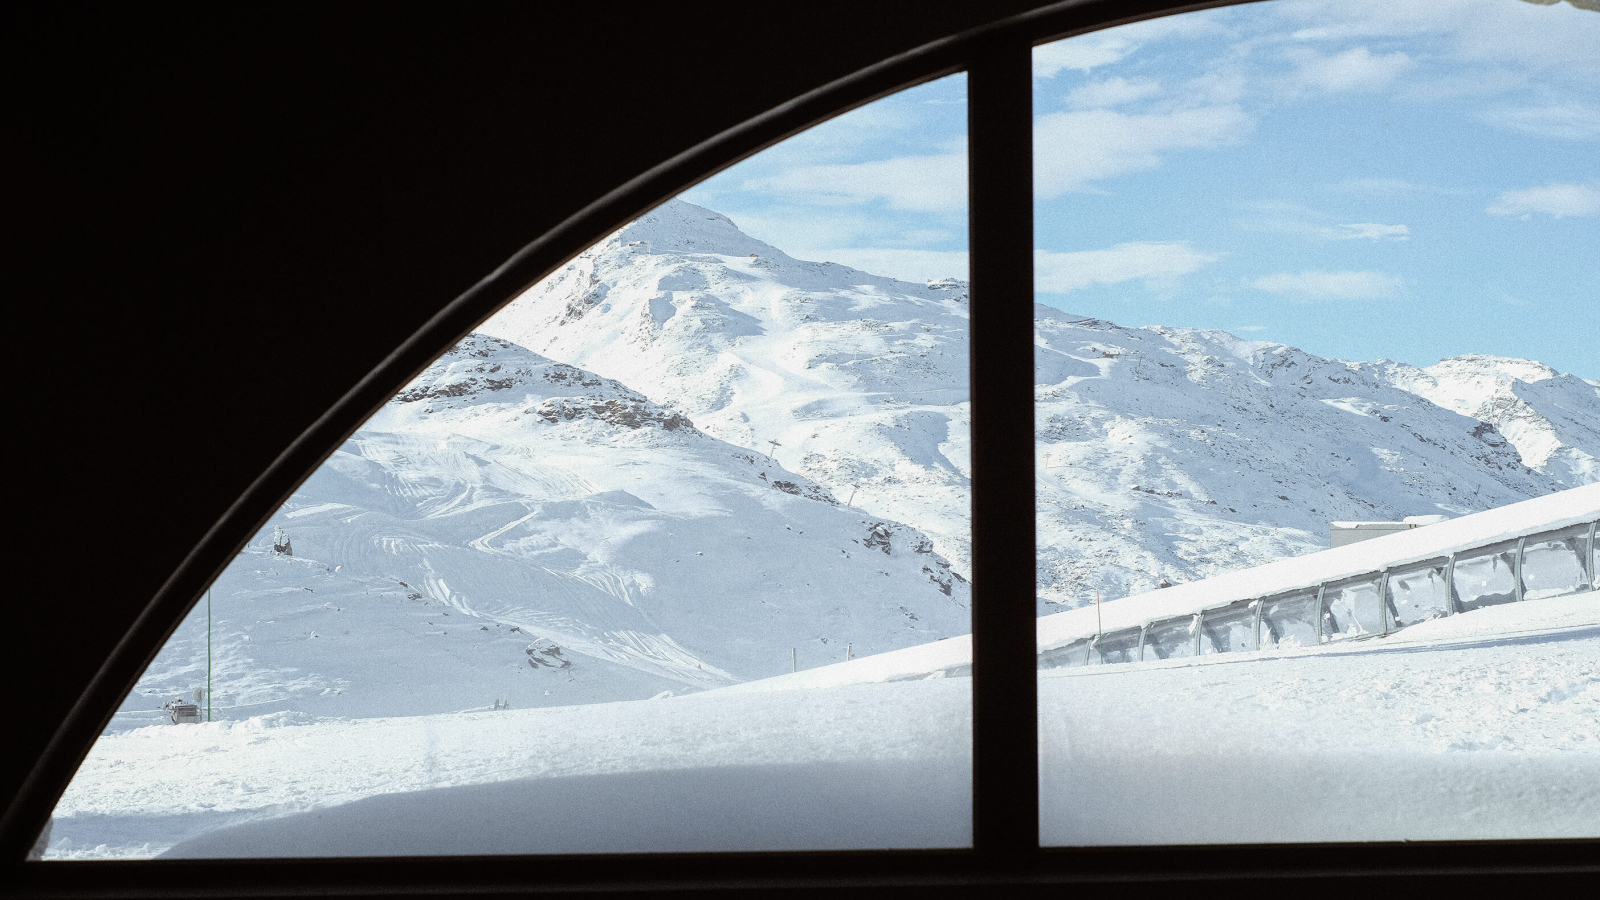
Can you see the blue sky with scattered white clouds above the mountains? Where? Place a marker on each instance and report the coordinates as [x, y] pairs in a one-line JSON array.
[[1404, 180]]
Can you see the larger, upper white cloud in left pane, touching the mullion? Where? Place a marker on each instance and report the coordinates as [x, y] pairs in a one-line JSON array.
[[906, 183]]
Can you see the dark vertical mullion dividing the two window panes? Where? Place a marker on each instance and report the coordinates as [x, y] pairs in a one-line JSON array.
[[1001, 235]]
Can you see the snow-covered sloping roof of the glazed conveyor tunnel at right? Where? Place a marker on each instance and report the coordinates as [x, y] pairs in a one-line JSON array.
[[1306, 573]]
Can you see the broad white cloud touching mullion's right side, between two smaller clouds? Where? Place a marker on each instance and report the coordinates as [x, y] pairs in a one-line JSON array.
[[1076, 148]]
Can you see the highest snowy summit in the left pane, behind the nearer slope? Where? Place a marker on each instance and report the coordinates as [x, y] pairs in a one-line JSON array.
[[854, 380]]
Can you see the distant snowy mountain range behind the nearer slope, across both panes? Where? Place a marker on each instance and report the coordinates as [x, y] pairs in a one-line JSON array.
[[1166, 454]]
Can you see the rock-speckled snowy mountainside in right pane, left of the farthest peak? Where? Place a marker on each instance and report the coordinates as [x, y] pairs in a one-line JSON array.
[[1178, 454]]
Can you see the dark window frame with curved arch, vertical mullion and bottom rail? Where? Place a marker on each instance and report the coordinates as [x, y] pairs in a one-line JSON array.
[[1006, 808]]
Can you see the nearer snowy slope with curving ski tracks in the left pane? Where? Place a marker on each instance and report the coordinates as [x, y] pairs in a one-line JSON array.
[[518, 529]]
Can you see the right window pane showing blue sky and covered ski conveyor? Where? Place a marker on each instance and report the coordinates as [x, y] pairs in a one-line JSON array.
[[1306, 377]]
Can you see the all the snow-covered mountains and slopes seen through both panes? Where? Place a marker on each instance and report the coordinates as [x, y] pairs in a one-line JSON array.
[[689, 460]]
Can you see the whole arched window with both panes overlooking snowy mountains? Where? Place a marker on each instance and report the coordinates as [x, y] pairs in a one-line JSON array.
[[1140, 621]]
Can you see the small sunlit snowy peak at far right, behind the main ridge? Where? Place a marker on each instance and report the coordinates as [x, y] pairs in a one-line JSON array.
[[1551, 419]]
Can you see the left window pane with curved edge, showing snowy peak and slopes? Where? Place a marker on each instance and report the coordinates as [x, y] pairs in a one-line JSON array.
[[671, 555]]
